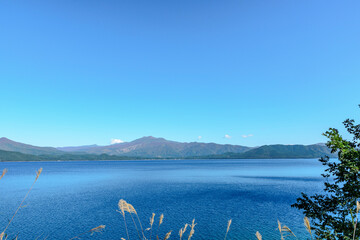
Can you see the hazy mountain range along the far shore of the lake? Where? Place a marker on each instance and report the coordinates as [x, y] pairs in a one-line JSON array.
[[156, 148]]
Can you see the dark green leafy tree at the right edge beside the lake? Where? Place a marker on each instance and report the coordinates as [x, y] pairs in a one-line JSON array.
[[333, 213]]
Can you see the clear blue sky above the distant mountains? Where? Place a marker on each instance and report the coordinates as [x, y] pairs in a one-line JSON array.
[[83, 72]]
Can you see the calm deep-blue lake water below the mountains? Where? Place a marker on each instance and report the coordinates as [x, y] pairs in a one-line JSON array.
[[72, 197]]
